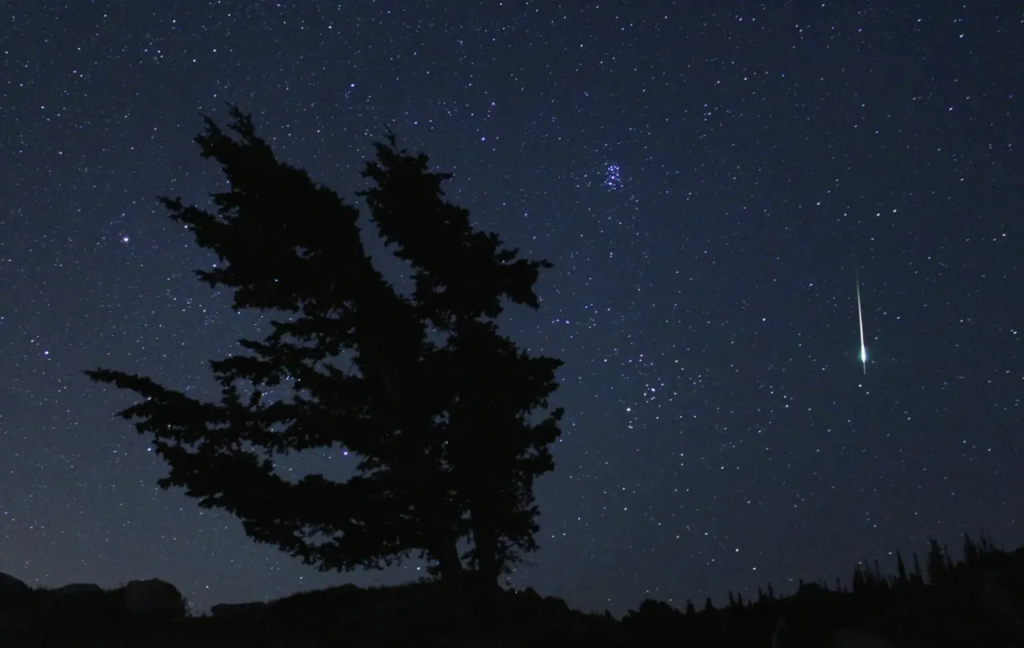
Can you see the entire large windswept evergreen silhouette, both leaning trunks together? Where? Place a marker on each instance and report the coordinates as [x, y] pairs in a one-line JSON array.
[[446, 447]]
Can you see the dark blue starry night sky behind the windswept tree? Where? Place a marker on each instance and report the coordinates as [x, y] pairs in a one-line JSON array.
[[710, 180]]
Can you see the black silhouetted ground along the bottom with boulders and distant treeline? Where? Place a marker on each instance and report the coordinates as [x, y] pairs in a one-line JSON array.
[[977, 602]]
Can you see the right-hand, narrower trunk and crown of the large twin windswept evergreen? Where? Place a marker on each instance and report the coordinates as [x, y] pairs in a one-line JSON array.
[[460, 278]]
